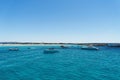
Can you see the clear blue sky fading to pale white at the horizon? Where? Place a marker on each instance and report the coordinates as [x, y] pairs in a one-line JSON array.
[[60, 20]]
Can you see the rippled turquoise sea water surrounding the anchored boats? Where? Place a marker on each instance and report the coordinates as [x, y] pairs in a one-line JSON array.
[[68, 64]]
